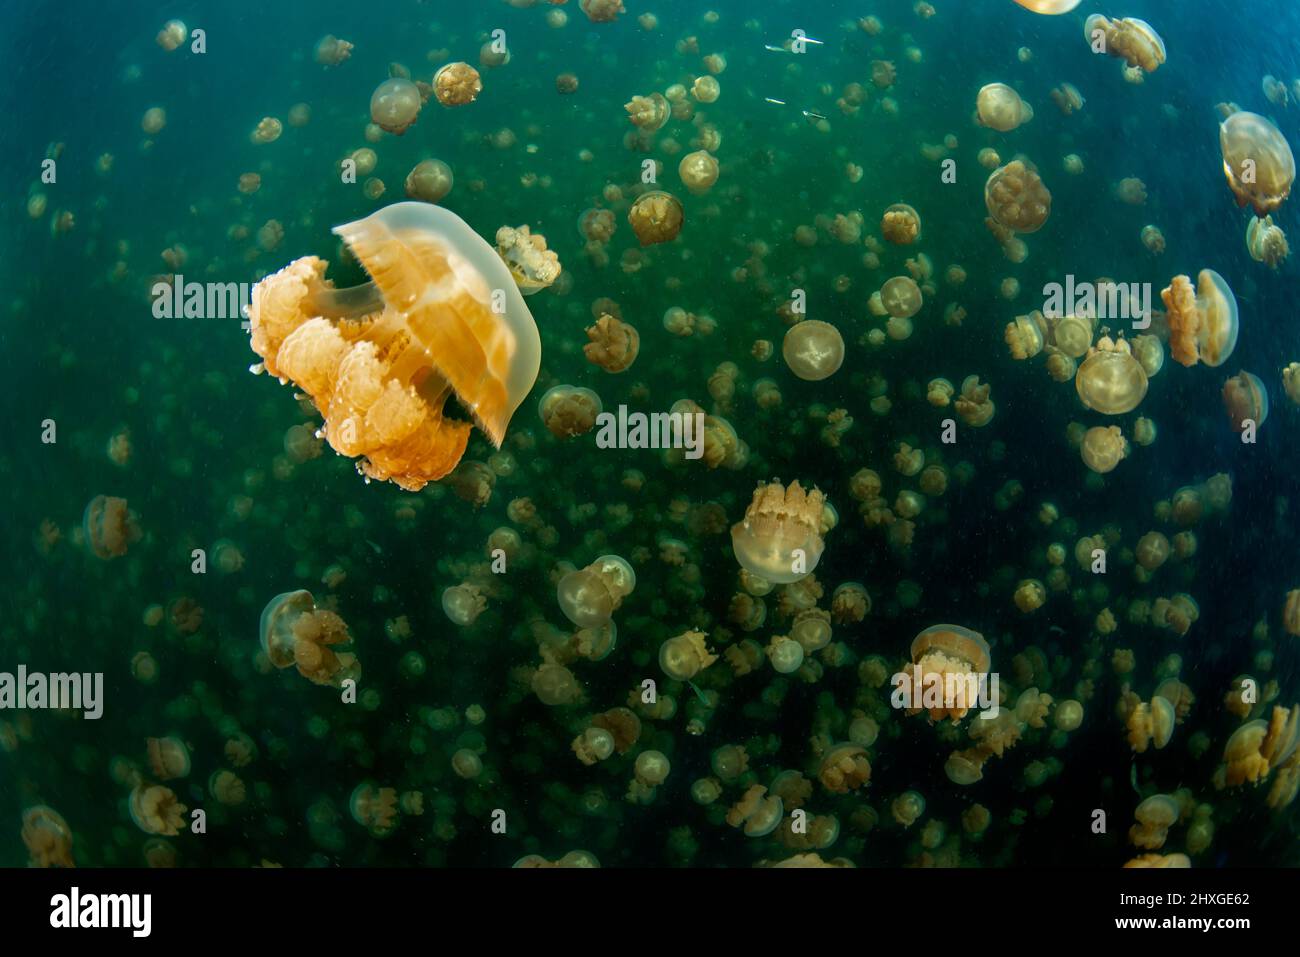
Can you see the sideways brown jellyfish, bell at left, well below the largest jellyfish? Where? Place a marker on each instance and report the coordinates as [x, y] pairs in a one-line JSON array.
[[294, 633]]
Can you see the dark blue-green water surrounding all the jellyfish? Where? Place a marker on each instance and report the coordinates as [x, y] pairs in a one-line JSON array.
[[81, 347]]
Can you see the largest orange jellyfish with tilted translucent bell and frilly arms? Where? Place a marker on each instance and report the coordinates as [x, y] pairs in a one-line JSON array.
[[382, 360]]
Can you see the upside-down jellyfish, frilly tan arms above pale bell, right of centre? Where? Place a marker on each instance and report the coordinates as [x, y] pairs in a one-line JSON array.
[[781, 538]]
